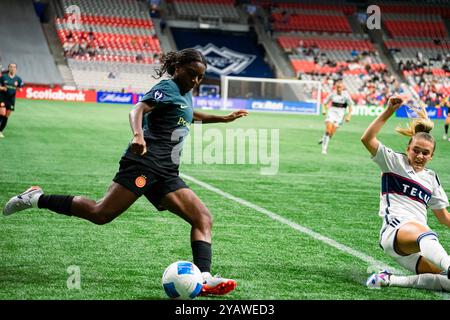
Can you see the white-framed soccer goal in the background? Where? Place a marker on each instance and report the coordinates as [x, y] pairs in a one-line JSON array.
[[267, 94]]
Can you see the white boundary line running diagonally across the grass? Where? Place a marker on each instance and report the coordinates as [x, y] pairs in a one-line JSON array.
[[373, 264]]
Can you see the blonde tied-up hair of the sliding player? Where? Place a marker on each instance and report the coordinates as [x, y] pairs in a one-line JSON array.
[[419, 127]]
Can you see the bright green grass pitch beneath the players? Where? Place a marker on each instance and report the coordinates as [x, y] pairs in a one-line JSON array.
[[72, 148]]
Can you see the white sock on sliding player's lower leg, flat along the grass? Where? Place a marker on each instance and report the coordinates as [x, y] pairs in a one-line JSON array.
[[428, 281]]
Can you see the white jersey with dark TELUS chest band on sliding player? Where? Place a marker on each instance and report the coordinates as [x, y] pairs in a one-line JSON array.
[[405, 193]]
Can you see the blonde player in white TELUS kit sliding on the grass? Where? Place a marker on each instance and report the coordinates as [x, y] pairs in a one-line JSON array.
[[408, 189]]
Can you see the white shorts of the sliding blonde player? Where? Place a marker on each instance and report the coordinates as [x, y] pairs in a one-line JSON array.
[[388, 235]]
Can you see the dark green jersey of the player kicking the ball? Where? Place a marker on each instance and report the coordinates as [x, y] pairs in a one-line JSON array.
[[165, 127]]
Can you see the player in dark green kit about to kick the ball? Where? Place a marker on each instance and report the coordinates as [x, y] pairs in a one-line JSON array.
[[149, 167]]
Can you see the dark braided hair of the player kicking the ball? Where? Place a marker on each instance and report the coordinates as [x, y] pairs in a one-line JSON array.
[[173, 59]]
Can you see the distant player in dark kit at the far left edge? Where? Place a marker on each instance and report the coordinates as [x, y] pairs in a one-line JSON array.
[[9, 82]]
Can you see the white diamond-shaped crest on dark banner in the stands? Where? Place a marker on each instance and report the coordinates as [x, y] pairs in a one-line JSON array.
[[224, 61]]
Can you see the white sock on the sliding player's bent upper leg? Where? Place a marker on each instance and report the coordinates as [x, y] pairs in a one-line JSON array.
[[432, 250]]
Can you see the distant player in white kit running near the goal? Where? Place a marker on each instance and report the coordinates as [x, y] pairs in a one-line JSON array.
[[336, 115]]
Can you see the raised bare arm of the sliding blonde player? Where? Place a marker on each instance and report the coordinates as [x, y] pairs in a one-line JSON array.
[[369, 138]]
